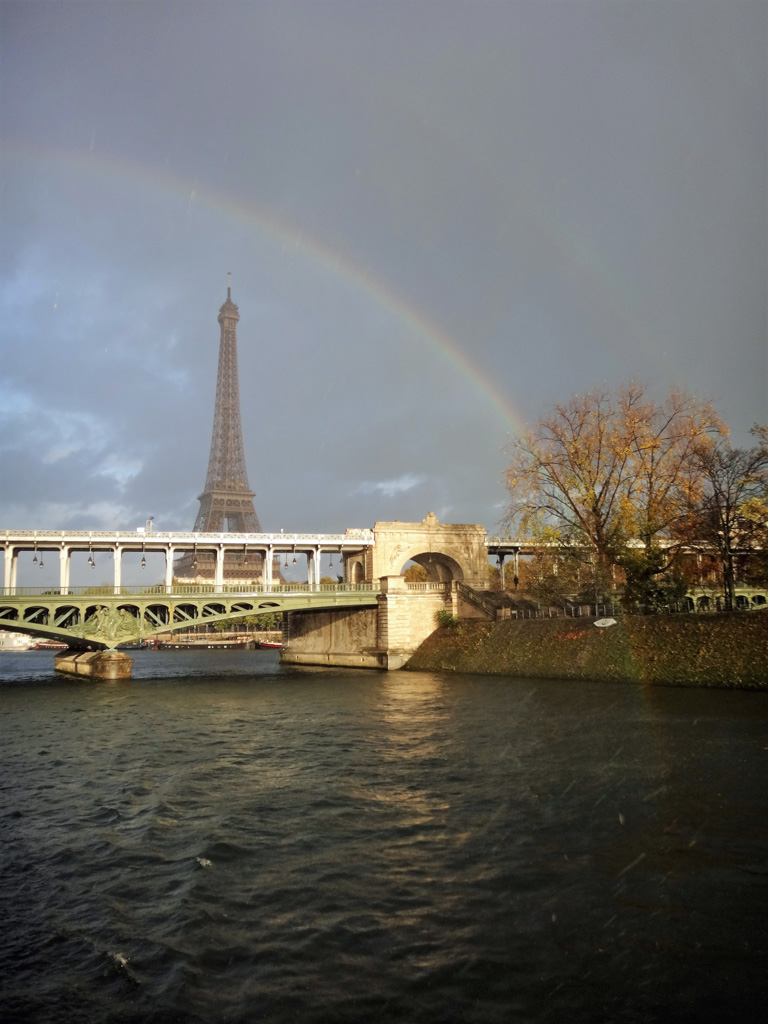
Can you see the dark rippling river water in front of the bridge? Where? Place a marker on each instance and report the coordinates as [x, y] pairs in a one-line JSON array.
[[225, 840]]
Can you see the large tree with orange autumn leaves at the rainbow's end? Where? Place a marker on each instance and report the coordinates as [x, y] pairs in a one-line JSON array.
[[609, 476]]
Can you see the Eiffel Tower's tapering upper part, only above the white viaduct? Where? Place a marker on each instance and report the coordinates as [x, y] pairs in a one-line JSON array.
[[227, 503]]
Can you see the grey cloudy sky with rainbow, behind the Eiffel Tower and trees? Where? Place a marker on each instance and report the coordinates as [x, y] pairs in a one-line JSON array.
[[441, 219]]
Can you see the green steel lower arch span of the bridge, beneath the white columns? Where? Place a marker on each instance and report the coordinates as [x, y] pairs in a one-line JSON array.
[[105, 617]]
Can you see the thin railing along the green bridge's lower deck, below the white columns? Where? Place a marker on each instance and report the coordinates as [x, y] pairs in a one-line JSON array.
[[190, 590]]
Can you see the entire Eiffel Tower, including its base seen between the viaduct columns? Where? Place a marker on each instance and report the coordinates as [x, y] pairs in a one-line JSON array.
[[227, 502]]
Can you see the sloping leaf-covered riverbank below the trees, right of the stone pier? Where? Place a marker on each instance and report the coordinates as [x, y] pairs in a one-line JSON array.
[[717, 651]]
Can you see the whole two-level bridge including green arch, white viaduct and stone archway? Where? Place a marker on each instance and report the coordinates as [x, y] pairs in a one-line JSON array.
[[371, 616]]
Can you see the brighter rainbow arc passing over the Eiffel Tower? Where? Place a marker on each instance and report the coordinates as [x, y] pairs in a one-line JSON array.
[[333, 263]]
